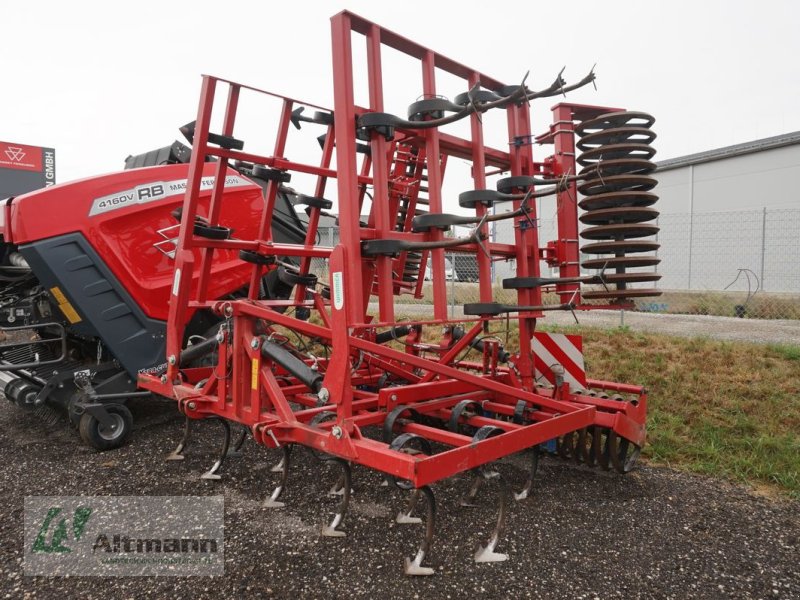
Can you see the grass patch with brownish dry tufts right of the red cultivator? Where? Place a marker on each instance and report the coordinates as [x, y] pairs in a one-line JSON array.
[[721, 408]]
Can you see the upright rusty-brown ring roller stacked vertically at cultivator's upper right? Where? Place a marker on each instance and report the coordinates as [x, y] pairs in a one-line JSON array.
[[616, 184]]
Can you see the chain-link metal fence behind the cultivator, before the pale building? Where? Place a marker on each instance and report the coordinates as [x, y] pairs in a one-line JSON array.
[[737, 264]]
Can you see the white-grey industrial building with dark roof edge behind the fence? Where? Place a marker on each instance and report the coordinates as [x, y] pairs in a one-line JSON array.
[[723, 210]]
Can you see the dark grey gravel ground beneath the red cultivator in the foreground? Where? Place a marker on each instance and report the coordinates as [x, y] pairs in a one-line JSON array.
[[654, 533]]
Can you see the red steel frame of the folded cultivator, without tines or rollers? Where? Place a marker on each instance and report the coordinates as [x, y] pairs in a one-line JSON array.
[[247, 388]]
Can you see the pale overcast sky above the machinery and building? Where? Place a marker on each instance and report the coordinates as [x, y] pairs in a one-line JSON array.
[[101, 80]]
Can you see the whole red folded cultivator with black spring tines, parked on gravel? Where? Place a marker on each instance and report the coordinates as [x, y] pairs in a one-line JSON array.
[[421, 413]]
